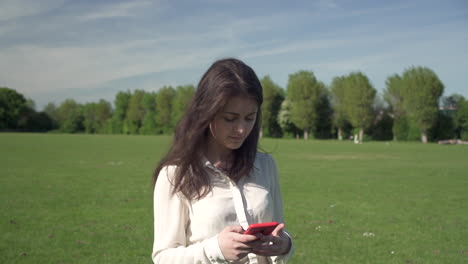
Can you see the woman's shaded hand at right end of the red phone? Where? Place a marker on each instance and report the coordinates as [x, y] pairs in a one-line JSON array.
[[278, 243]]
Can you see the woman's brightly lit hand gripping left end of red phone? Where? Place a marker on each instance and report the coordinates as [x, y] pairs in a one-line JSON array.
[[234, 244]]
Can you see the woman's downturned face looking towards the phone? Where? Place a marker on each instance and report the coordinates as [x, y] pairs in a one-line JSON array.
[[233, 124]]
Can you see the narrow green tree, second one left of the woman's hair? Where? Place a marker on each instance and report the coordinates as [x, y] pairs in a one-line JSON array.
[[164, 103]]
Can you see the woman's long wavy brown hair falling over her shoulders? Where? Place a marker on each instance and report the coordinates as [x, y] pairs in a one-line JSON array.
[[224, 79]]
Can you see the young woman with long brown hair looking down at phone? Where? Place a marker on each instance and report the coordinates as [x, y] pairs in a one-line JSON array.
[[213, 183]]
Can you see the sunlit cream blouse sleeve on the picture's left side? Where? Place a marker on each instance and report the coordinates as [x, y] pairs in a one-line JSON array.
[[171, 219]]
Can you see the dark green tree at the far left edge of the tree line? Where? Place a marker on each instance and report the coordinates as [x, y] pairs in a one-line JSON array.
[[12, 106]]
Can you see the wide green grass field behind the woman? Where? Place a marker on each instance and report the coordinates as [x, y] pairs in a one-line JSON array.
[[88, 199]]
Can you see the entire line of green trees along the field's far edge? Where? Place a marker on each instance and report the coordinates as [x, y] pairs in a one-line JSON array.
[[410, 108]]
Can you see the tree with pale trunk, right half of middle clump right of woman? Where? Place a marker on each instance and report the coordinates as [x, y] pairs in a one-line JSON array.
[[359, 98]]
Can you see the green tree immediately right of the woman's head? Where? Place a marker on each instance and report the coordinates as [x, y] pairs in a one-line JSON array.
[[273, 96]]
